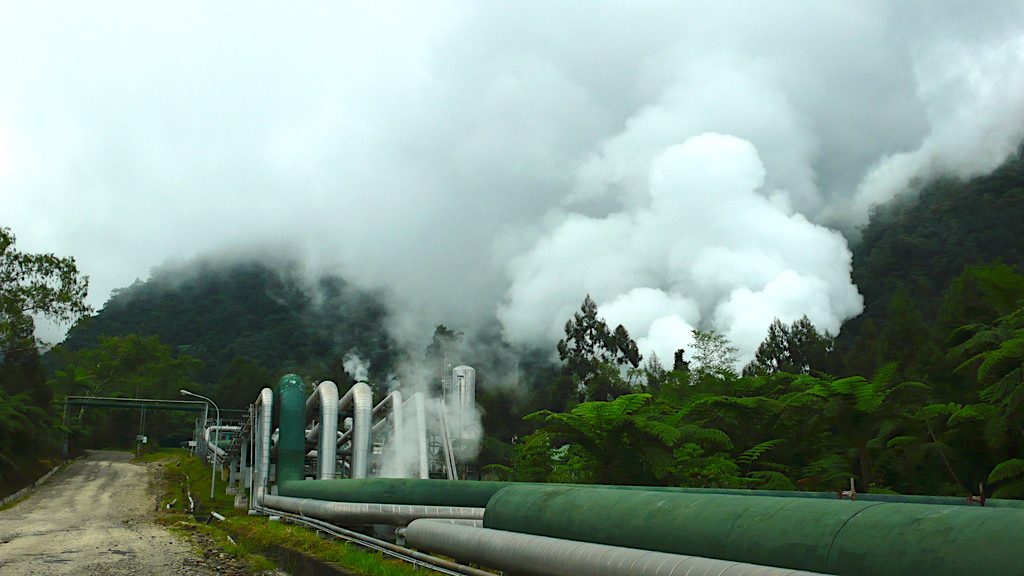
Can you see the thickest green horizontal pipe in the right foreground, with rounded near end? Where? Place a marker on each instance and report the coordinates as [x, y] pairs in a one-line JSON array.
[[845, 538]]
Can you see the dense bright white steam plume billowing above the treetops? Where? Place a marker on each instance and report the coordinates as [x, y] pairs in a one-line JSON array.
[[707, 246]]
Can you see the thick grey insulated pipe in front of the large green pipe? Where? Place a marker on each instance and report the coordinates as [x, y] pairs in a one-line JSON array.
[[527, 555]]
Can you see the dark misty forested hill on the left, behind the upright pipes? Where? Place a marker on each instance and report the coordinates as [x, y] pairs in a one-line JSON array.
[[266, 315]]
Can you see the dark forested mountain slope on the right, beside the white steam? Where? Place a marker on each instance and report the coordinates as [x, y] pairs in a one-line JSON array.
[[931, 263]]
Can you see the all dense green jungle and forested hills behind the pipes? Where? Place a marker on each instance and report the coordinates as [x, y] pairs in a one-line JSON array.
[[924, 393]]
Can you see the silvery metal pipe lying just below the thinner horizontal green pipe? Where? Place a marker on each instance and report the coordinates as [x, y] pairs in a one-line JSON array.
[[358, 513]]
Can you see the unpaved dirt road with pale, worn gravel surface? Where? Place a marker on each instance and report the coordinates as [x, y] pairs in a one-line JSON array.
[[93, 519]]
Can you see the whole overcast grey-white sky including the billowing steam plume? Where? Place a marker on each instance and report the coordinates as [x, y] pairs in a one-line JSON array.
[[688, 164]]
